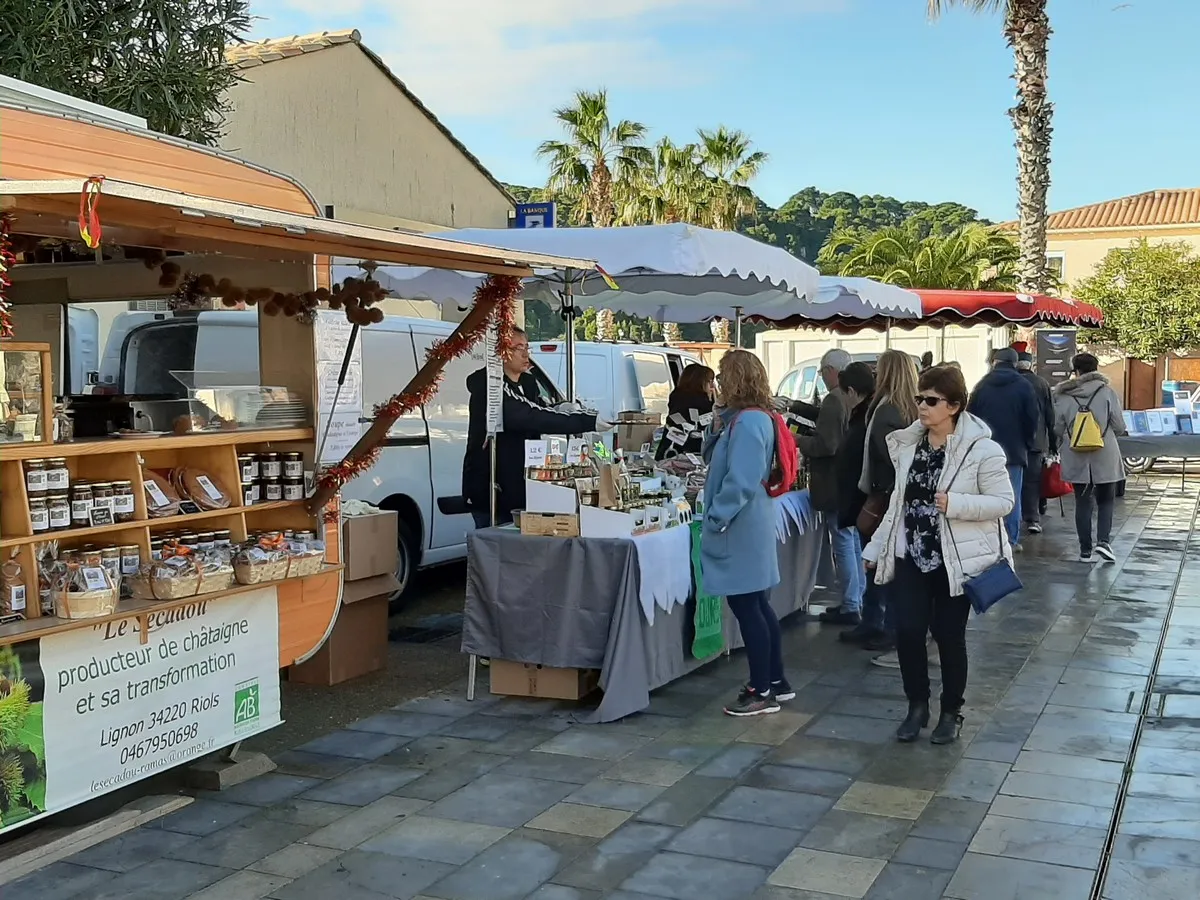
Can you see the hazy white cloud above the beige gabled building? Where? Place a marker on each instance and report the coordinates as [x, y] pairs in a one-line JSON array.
[[506, 58]]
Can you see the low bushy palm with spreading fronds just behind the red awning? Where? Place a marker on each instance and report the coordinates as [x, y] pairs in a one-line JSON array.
[[974, 257]]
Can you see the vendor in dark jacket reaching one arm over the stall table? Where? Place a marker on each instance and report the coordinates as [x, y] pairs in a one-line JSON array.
[[526, 417]]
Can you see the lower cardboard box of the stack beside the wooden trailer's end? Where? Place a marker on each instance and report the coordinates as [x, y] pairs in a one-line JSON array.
[[358, 644]]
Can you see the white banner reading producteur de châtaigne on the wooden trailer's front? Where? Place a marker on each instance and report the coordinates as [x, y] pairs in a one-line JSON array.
[[100, 707]]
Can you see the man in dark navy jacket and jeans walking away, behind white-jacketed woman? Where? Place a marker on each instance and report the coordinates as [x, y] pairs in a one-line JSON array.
[[1007, 403]]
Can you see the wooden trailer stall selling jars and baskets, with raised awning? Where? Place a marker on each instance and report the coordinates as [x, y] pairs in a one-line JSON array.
[[166, 554]]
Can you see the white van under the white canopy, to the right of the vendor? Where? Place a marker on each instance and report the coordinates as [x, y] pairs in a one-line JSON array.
[[616, 377]]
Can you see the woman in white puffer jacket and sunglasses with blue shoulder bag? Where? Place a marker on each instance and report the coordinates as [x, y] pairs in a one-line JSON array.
[[941, 530]]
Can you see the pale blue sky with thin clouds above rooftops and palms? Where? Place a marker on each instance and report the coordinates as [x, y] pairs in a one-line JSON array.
[[856, 95]]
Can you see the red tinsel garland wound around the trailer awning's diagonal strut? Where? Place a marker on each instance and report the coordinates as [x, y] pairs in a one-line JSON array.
[[505, 291]]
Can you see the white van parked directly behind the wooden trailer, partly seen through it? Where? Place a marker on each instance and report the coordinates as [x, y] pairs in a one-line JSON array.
[[421, 469]]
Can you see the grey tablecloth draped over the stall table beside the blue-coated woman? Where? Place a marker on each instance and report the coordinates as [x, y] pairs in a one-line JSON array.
[[574, 604]]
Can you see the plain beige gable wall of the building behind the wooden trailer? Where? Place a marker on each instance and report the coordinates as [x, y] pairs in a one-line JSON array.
[[333, 121]]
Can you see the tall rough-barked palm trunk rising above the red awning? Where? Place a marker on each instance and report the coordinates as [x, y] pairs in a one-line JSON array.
[[1028, 32]]
